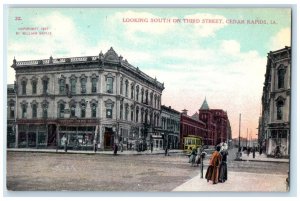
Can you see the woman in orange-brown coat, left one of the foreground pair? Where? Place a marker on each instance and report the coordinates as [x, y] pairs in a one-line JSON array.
[[212, 172]]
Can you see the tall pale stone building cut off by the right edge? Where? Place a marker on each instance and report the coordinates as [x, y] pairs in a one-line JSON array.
[[274, 128]]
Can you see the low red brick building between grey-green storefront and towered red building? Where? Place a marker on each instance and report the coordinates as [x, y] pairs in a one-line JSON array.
[[191, 126]]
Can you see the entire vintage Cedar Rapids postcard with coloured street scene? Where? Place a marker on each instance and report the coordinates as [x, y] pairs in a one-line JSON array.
[[148, 99]]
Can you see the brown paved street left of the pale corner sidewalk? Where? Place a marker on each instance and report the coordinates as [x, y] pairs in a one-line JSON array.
[[51, 171]]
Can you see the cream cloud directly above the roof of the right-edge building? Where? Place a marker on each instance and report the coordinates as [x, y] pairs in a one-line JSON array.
[[281, 39]]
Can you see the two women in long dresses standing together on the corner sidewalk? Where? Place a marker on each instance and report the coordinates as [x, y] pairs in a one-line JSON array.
[[217, 169]]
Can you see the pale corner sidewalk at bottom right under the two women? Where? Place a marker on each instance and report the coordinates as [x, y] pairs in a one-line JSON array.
[[238, 182]]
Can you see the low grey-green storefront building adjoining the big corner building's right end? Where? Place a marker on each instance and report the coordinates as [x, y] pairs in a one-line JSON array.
[[170, 125]]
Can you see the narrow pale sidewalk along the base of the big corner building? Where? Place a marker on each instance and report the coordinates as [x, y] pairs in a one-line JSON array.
[[126, 152]]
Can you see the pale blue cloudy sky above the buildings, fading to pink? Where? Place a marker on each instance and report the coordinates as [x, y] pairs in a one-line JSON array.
[[223, 62]]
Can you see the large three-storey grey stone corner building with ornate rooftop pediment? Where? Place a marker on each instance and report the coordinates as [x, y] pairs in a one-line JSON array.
[[98, 99]]
